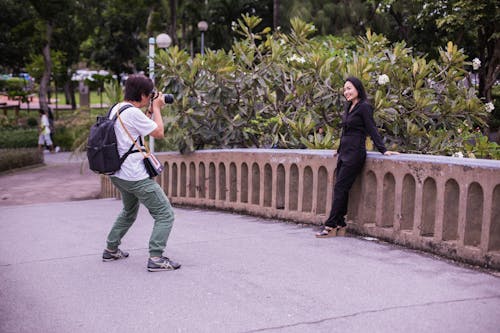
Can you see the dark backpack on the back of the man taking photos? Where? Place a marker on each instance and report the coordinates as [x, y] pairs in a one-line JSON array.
[[102, 146]]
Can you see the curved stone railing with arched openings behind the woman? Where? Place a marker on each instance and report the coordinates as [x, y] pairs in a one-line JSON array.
[[445, 205]]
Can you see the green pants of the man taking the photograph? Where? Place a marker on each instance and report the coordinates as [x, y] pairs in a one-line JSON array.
[[151, 195]]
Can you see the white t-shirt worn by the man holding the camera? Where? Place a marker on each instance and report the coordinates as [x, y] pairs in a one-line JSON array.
[[138, 125]]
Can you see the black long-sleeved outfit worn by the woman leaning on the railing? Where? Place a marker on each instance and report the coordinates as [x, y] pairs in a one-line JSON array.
[[356, 124]]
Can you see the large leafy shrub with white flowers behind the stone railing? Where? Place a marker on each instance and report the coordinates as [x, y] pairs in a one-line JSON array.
[[277, 90]]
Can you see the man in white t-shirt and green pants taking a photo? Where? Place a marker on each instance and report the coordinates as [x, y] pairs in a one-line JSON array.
[[132, 180]]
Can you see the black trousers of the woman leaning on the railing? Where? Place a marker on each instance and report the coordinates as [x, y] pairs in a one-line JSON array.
[[345, 176]]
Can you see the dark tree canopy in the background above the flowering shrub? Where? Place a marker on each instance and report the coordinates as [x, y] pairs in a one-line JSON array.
[[113, 34]]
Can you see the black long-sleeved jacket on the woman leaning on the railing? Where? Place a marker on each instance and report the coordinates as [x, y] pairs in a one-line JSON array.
[[356, 125]]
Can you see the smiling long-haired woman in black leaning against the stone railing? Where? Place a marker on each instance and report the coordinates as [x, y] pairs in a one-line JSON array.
[[357, 122]]
